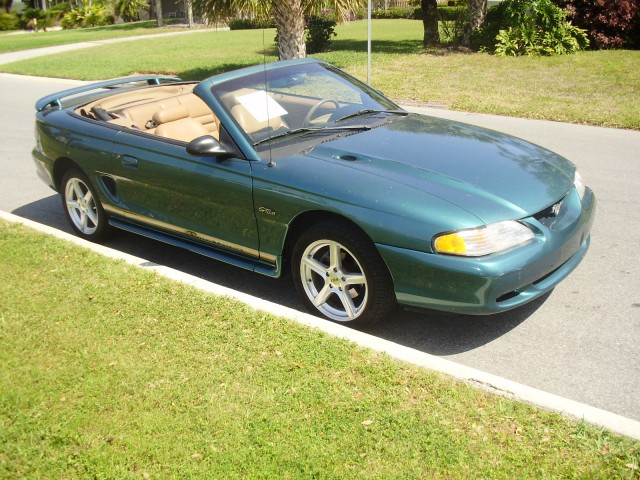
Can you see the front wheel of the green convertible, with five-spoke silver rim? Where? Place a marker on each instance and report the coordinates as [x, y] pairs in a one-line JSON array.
[[341, 276]]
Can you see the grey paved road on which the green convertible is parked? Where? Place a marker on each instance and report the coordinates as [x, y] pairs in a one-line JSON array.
[[581, 341]]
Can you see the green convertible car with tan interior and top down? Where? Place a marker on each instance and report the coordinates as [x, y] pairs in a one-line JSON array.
[[297, 167]]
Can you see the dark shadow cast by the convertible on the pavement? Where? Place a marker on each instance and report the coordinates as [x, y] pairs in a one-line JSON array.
[[431, 332]]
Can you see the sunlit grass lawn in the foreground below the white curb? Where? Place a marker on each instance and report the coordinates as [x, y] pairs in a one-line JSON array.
[[109, 371]]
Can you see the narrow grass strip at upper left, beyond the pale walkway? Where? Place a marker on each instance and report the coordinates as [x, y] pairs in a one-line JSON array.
[[10, 42]]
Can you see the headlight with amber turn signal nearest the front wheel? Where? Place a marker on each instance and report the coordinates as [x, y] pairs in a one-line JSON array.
[[476, 242]]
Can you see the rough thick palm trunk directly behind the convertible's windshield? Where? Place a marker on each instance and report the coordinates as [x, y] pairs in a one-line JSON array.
[[289, 18]]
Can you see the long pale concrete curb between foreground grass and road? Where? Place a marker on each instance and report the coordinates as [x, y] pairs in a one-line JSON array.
[[493, 383]]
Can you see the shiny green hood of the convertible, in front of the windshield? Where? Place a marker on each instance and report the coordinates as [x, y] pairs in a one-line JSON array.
[[490, 174]]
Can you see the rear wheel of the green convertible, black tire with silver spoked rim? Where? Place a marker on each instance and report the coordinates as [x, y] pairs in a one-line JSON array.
[[82, 207]]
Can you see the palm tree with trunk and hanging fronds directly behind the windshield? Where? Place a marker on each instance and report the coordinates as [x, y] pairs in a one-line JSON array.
[[288, 15]]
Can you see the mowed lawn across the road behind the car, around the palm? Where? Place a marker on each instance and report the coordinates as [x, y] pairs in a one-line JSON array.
[[597, 88]]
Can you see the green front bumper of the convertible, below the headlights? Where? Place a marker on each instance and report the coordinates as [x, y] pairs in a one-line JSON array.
[[500, 282]]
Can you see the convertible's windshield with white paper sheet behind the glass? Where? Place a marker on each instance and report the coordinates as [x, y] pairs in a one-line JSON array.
[[287, 102]]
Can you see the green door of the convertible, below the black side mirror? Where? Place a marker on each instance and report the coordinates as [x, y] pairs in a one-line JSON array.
[[209, 199]]
